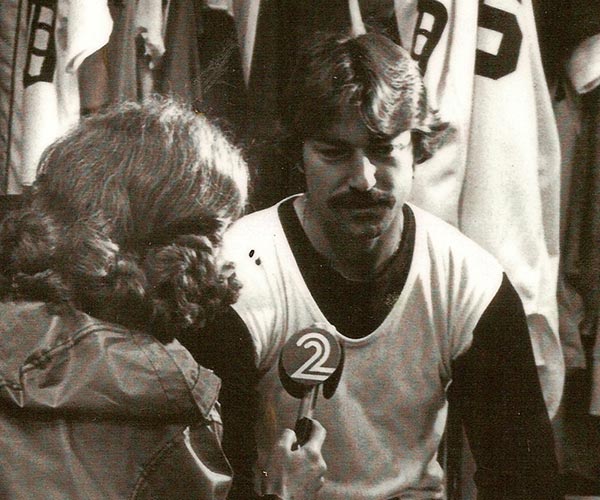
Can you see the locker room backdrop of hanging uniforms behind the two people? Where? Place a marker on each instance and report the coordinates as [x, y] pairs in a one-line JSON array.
[[520, 81]]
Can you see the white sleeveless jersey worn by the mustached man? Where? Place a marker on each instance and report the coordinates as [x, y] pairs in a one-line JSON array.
[[390, 419]]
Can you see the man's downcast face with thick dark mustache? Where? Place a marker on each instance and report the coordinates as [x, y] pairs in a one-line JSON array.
[[356, 183]]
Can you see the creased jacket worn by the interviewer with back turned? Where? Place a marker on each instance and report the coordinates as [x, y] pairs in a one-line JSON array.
[[90, 410]]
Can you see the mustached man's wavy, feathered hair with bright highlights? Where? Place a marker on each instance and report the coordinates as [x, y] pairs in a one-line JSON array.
[[336, 71]]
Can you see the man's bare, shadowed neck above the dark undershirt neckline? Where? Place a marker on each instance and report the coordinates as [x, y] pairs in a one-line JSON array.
[[354, 258]]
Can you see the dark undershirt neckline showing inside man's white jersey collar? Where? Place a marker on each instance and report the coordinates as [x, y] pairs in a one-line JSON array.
[[355, 308]]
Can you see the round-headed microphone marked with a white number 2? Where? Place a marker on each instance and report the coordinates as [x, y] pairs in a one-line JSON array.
[[310, 358]]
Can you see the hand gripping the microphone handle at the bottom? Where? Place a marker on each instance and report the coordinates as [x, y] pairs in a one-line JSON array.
[[295, 472]]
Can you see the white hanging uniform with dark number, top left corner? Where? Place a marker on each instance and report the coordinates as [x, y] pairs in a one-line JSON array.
[[59, 35]]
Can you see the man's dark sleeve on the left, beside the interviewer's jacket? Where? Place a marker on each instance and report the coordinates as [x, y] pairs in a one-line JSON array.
[[225, 346]]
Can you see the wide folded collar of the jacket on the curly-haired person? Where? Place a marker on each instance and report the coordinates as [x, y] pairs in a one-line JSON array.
[[77, 364]]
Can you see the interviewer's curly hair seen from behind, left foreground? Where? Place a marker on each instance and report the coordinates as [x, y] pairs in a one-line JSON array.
[[126, 220]]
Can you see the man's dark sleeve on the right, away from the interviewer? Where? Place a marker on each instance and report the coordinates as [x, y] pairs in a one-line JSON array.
[[498, 396]]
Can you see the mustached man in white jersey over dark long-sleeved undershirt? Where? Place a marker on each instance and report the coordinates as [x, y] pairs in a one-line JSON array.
[[425, 316]]
